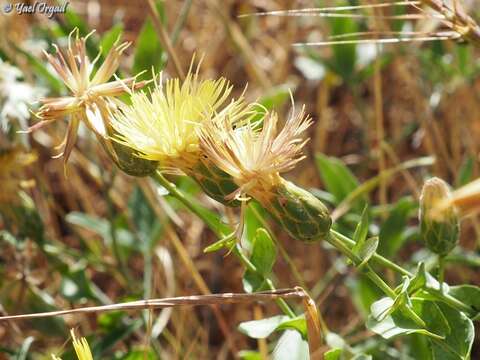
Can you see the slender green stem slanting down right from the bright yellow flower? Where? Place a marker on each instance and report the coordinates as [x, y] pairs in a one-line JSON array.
[[237, 250]]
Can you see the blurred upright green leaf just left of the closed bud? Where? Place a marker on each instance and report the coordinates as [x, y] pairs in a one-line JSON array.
[[393, 231]]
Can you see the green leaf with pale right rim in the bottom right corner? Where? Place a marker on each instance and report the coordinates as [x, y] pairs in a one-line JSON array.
[[458, 342]]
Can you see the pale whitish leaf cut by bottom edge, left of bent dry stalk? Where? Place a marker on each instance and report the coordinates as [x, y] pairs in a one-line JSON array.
[[291, 346]]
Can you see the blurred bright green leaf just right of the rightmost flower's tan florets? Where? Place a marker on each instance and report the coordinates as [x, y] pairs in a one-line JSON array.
[[338, 178]]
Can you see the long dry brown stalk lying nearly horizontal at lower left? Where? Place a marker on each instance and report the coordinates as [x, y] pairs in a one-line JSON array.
[[194, 300]]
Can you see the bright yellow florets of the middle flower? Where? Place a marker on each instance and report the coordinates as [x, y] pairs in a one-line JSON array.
[[164, 125]]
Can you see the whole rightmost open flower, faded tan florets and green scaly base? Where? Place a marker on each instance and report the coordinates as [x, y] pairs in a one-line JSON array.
[[255, 158]]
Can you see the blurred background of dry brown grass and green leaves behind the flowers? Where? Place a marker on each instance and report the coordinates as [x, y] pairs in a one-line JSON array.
[[89, 235]]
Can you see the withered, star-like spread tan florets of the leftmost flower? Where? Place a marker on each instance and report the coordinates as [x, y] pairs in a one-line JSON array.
[[91, 97]]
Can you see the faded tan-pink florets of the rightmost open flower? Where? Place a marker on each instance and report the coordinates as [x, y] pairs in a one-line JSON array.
[[255, 158]]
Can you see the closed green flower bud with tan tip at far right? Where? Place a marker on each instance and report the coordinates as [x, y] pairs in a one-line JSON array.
[[439, 224]]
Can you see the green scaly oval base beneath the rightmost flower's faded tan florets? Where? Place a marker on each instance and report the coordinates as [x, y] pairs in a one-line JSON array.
[[300, 213]]
